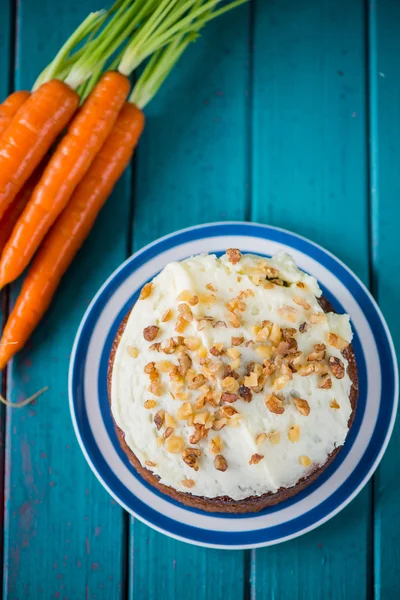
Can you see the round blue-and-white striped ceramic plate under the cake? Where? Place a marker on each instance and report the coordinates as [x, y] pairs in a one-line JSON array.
[[339, 483]]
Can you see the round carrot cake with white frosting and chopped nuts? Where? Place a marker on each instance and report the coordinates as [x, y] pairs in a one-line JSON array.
[[232, 382]]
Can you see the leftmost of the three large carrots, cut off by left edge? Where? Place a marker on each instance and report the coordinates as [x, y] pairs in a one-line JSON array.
[[31, 133]]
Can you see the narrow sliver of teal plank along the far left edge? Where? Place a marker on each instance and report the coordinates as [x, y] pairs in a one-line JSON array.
[[6, 61]]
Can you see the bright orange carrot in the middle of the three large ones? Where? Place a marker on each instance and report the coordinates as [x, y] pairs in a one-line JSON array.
[[71, 160]]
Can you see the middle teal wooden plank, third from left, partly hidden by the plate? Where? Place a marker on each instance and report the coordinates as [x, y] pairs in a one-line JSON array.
[[192, 168]]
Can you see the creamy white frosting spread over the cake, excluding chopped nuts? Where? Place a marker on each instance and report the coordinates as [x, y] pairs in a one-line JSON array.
[[321, 431]]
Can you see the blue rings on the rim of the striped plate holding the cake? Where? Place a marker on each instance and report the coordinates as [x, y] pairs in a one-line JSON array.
[[339, 498]]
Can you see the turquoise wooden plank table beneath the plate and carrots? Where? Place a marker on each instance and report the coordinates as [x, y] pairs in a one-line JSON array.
[[285, 113]]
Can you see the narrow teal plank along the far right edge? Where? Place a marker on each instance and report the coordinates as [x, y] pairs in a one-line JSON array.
[[384, 21]]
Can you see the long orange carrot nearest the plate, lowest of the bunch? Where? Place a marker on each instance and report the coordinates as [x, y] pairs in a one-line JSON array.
[[70, 230]]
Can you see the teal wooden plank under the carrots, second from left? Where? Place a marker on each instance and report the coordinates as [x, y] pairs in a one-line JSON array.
[[64, 532]]
